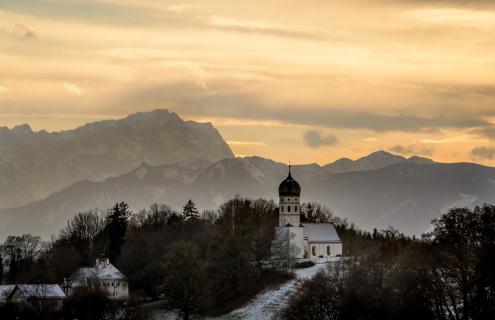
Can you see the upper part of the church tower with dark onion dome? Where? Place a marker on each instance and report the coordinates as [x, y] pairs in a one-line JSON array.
[[289, 193]]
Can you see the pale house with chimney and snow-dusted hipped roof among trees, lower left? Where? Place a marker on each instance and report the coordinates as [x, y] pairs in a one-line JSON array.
[[104, 275]]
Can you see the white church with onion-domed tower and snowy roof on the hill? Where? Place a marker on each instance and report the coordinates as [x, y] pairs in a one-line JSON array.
[[317, 242]]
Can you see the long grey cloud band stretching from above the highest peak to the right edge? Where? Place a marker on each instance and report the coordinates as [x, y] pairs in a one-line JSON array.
[[187, 98]]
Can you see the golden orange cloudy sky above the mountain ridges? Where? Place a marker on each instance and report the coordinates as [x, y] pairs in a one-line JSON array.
[[300, 81]]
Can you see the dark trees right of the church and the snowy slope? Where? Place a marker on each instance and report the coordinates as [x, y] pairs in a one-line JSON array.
[[445, 275]]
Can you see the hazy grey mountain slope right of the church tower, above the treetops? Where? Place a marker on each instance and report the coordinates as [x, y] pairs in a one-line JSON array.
[[405, 195]]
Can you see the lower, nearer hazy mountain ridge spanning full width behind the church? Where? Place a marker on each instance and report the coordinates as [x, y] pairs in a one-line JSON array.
[[407, 195]]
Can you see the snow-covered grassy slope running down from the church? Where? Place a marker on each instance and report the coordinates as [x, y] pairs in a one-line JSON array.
[[266, 304]]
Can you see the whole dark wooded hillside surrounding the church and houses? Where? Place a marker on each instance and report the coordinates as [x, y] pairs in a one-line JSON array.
[[209, 263]]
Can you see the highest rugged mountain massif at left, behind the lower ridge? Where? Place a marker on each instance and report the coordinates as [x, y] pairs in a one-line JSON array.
[[35, 164]]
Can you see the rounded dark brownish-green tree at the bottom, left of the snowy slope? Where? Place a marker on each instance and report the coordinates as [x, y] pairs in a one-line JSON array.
[[184, 283]]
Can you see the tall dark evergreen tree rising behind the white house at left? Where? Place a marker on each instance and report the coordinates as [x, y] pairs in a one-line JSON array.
[[116, 227]]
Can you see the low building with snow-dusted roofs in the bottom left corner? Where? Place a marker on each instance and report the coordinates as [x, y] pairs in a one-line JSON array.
[[39, 295]]
